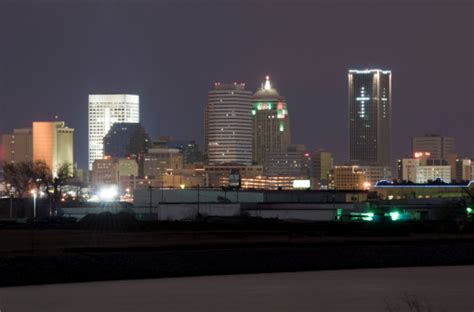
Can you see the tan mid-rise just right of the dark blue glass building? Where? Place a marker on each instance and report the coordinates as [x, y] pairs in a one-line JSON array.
[[160, 161]]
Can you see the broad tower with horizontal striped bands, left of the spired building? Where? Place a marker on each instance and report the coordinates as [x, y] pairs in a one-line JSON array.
[[228, 125]]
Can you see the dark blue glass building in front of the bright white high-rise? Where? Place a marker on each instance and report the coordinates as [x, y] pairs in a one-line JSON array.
[[126, 139]]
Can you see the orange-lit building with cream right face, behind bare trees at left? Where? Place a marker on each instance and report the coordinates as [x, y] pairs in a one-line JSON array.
[[53, 143]]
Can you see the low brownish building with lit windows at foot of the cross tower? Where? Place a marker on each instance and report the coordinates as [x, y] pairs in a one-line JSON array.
[[348, 178]]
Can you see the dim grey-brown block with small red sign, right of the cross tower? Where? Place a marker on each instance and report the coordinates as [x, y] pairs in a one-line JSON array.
[[439, 147]]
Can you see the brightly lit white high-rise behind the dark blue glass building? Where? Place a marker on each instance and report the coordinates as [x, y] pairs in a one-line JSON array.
[[104, 111]]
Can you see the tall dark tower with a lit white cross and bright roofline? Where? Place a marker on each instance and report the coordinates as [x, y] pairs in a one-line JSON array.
[[370, 106]]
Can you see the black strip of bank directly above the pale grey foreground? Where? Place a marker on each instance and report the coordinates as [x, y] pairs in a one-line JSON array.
[[96, 264]]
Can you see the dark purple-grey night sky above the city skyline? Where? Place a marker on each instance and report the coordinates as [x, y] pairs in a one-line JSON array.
[[54, 53]]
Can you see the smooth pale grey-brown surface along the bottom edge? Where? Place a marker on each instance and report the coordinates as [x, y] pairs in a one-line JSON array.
[[432, 289]]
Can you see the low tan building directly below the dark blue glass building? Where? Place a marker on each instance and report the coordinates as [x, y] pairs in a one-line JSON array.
[[111, 171]]
